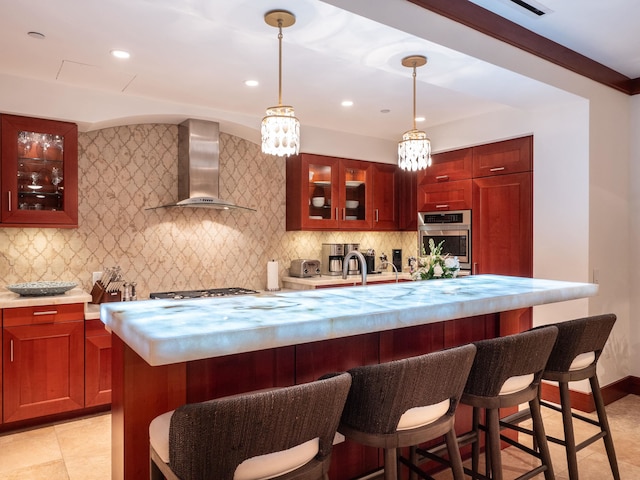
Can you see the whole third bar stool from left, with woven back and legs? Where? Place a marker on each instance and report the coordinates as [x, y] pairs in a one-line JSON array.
[[506, 372]]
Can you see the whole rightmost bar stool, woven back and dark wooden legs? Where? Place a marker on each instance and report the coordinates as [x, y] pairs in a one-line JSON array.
[[573, 358]]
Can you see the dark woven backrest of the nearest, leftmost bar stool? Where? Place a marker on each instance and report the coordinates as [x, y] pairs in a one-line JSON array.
[[210, 439]]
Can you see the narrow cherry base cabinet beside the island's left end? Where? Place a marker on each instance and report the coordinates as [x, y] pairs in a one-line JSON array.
[[97, 364]]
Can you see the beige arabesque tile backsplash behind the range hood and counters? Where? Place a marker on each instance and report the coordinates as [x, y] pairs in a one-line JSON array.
[[125, 170]]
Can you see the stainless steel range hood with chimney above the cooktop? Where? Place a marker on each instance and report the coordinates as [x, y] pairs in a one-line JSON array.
[[199, 167]]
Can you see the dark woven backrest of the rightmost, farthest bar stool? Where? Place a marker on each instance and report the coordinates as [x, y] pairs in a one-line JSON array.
[[579, 336]]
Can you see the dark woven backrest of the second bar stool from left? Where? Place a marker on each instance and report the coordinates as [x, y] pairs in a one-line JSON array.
[[381, 393]]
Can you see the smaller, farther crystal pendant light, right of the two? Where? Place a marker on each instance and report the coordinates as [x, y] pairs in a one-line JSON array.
[[414, 151]]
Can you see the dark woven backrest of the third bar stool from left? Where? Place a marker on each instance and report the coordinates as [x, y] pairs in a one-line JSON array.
[[501, 358]]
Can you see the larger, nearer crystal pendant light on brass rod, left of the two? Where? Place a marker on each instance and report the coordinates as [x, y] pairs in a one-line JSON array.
[[280, 127]]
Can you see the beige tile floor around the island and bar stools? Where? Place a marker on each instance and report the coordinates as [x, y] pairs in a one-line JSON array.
[[80, 449]]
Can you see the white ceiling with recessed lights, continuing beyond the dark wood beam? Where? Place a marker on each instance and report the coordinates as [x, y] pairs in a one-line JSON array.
[[190, 58]]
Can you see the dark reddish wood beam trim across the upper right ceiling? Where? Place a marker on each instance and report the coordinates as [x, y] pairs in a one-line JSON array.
[[487, 22]]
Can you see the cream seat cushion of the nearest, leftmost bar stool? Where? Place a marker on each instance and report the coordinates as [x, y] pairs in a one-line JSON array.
[[261, 467]]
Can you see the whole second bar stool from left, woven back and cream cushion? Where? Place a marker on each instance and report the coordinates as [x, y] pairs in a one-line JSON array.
[[407, 402]]
